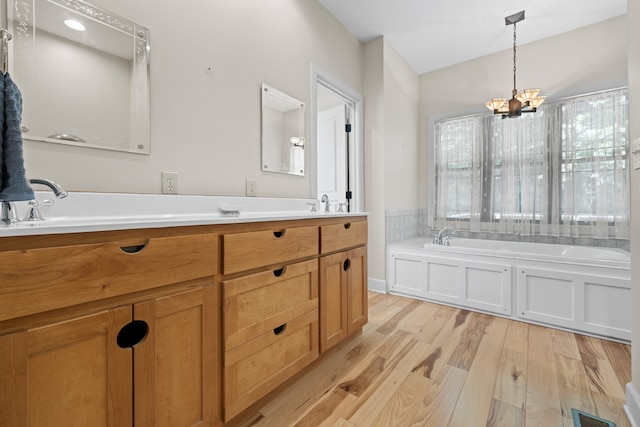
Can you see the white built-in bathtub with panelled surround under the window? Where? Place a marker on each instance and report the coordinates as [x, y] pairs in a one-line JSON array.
[[584, 289]]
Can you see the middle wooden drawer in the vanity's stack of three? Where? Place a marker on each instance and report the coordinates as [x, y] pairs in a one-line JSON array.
[[260, 302]]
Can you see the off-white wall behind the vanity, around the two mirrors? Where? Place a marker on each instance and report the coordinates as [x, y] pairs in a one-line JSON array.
[[206, 126]]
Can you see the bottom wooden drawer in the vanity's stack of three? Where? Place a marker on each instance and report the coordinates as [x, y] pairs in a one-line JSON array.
[[254, 369]]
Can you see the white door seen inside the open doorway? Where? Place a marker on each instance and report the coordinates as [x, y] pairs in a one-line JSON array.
[[332, 165]]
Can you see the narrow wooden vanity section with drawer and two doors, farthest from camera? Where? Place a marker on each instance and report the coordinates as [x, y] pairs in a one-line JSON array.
[[343, 285]]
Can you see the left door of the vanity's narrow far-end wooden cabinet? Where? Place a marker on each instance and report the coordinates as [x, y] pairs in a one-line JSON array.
[[333, 300]]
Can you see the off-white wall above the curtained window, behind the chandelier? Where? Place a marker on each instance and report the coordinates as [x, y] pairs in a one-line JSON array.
[[585, 60]]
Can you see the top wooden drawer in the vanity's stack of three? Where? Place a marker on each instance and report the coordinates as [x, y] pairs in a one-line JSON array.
[[244, 251]]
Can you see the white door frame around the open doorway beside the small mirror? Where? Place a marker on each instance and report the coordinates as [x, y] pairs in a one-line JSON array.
[[356, 101]]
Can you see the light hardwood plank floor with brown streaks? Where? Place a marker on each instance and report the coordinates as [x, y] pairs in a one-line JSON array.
[[423, 364]]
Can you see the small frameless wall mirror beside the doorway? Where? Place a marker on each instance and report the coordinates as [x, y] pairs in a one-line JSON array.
[[283, 140]]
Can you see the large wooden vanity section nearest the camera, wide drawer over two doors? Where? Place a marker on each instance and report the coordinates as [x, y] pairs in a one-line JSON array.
[[107, 334]]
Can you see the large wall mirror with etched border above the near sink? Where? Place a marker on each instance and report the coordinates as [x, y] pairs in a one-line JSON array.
[[83, 73]]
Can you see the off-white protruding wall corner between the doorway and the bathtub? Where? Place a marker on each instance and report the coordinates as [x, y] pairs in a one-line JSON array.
[[391, 141]]
